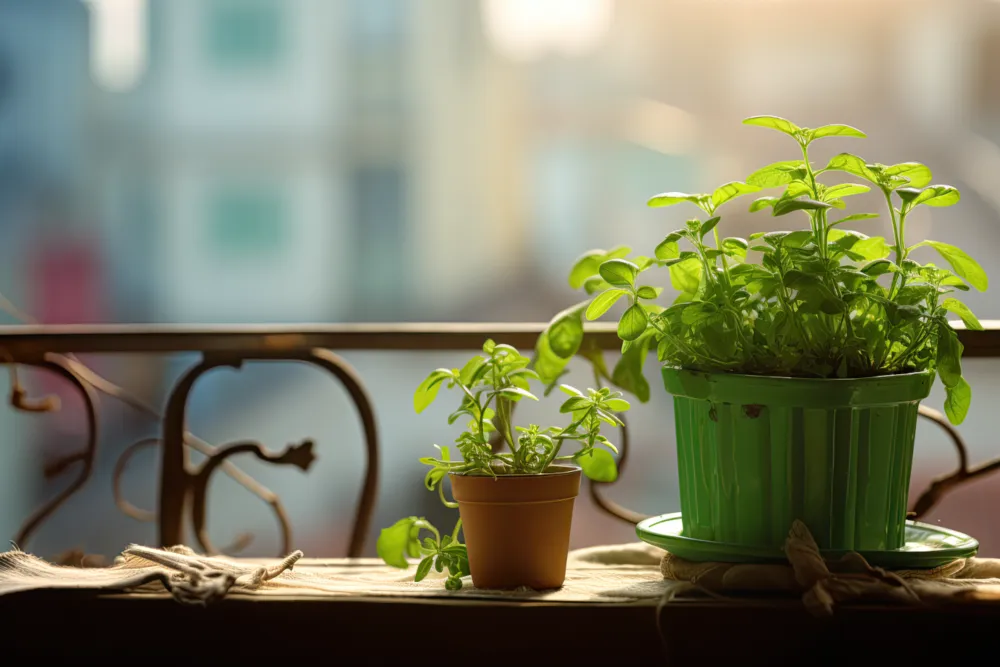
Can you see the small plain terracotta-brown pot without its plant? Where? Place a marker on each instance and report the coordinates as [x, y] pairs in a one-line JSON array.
[[516, 527]]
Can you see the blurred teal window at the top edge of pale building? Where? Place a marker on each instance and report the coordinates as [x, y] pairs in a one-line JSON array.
[[244, 33]]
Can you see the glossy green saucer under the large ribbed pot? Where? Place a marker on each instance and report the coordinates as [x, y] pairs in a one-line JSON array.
[[926, 546]]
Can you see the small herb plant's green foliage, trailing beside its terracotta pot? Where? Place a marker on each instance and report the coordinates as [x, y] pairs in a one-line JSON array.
[[489, 385]]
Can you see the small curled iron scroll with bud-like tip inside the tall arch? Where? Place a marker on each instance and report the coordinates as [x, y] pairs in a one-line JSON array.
[[300, 456]]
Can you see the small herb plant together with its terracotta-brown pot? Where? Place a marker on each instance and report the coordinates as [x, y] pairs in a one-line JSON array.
[[515, 506]]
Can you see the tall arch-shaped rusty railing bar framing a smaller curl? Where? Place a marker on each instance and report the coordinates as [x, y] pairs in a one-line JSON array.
[[176, 477]]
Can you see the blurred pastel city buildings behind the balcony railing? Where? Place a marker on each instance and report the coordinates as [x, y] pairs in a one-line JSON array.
[[276, 161]]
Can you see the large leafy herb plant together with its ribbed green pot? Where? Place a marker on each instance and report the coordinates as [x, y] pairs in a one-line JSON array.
[[797, 359]]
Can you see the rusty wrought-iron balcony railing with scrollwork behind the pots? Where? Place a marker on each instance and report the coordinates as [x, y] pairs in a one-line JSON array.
[[183, 487]]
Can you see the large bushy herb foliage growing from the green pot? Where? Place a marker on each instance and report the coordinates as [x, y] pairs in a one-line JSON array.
[[821, 302]]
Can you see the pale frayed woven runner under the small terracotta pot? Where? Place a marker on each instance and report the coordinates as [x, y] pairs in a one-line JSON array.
[[608, 574]]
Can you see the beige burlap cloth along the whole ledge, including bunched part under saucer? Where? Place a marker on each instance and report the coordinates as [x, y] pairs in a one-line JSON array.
[[606, 574]]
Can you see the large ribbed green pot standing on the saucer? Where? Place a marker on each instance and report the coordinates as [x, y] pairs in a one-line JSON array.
[[754, 453]]
